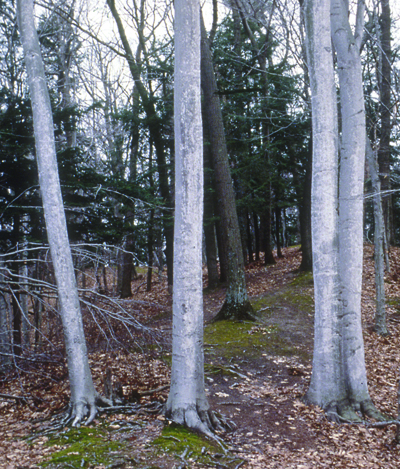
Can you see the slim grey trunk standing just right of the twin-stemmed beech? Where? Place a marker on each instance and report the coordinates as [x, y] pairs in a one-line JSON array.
[[379, 235]]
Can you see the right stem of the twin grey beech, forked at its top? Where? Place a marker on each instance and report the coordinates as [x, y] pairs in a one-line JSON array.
[[351, 202]]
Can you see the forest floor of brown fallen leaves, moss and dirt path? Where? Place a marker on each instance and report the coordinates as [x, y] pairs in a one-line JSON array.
[[256, 376]]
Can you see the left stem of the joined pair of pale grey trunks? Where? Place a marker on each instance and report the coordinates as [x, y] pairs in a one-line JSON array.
[[327, 385]]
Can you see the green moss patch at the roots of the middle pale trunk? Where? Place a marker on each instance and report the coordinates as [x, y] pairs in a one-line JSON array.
[[189, 447]]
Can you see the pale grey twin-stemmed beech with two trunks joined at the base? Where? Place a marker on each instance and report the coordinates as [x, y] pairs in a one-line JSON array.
[[339, 382]]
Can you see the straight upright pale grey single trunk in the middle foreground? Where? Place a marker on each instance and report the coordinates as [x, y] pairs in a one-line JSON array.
[[187, 403]]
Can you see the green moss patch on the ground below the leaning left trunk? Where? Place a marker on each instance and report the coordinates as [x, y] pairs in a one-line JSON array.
[[82, 447]]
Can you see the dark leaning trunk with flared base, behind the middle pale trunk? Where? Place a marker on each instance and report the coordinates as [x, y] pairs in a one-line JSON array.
[[237, 304]]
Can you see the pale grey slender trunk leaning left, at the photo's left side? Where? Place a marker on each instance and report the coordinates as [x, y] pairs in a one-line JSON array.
[[83, 395]]
